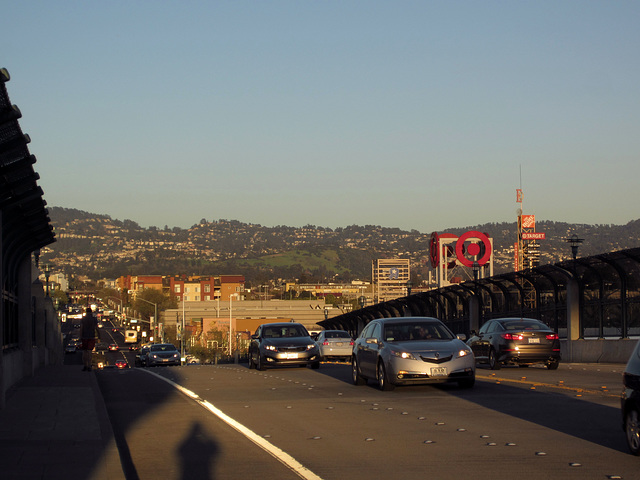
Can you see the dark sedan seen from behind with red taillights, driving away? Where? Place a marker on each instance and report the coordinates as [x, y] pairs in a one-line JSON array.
[[518, 341]]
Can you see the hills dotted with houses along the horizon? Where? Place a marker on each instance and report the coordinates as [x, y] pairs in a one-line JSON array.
[[101, 247]]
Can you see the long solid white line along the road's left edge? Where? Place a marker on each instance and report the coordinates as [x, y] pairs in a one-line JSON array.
[[282, 456]]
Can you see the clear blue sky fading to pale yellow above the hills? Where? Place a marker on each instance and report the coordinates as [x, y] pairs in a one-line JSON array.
[[410, 114]]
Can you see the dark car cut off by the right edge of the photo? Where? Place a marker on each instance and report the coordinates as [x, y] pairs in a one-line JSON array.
[[631, 401]]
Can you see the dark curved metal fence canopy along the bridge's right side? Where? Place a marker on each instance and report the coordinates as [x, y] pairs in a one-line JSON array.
[[608, 298]]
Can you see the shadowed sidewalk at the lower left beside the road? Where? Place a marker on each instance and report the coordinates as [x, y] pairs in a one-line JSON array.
[[55, 426]]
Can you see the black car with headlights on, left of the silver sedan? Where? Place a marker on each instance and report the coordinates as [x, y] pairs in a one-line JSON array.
[[278, 344]]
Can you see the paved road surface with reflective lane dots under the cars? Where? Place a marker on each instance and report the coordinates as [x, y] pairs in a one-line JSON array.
[[526, 423]]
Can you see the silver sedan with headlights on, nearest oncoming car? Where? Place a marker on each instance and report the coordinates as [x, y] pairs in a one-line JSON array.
[[411, 351]]
